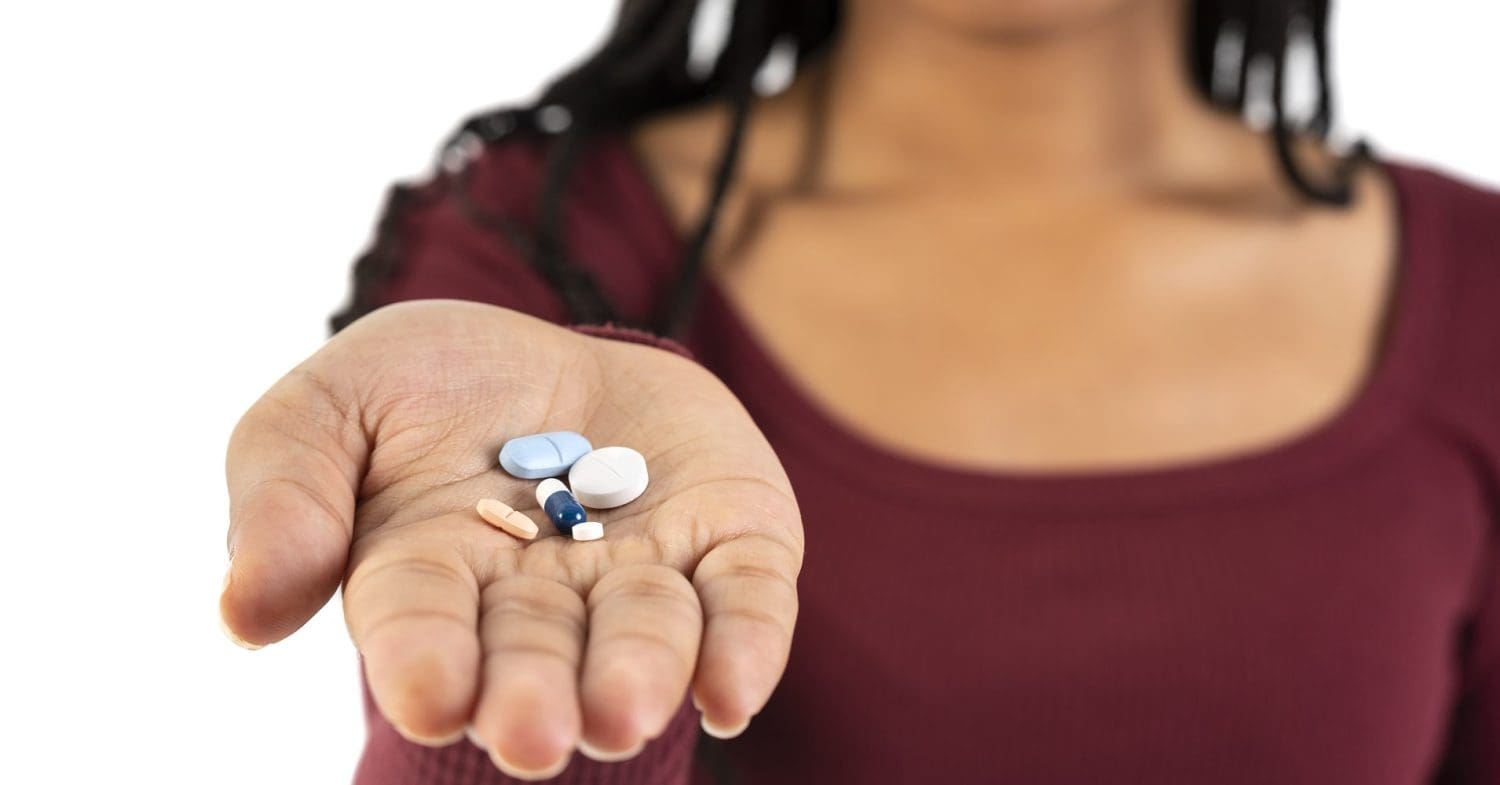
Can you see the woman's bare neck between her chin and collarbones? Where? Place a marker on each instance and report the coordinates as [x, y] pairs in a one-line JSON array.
[[916, 101]]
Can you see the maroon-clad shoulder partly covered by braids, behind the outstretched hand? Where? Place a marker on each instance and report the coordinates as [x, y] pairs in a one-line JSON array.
[[472, 229]]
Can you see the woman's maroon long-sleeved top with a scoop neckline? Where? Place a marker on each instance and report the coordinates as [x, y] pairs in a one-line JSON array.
[[1322, 612]]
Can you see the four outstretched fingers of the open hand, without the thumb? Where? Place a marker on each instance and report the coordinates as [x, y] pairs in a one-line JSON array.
[[605, 676]]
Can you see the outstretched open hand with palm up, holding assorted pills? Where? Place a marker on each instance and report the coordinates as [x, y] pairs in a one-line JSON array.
[[364, 466]]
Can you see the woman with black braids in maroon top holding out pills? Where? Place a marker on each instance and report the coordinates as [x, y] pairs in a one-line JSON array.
[[1132, 445]]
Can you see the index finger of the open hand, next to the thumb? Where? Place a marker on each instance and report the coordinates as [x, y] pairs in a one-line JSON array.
[[412, 609]]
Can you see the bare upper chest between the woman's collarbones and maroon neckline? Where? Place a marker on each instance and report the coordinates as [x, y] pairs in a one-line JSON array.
[[1000, 338]]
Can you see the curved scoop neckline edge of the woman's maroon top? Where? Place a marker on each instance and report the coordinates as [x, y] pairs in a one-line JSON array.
[[787, 409]]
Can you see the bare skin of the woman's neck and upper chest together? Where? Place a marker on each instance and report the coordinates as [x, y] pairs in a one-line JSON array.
[[1039, 256]]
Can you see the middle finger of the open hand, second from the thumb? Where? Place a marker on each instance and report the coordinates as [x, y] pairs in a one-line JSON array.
[[533, 636]]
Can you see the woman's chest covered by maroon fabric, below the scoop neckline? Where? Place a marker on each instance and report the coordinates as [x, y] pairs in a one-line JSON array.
[[1298, 637]]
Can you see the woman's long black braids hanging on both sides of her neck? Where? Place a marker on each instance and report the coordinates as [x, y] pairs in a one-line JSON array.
[[643, 70]]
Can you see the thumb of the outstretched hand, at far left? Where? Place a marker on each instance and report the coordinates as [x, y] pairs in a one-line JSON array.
[[292, 471]]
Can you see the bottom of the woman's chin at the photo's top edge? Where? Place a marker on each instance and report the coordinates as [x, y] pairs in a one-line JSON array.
[[1012, 17]]
